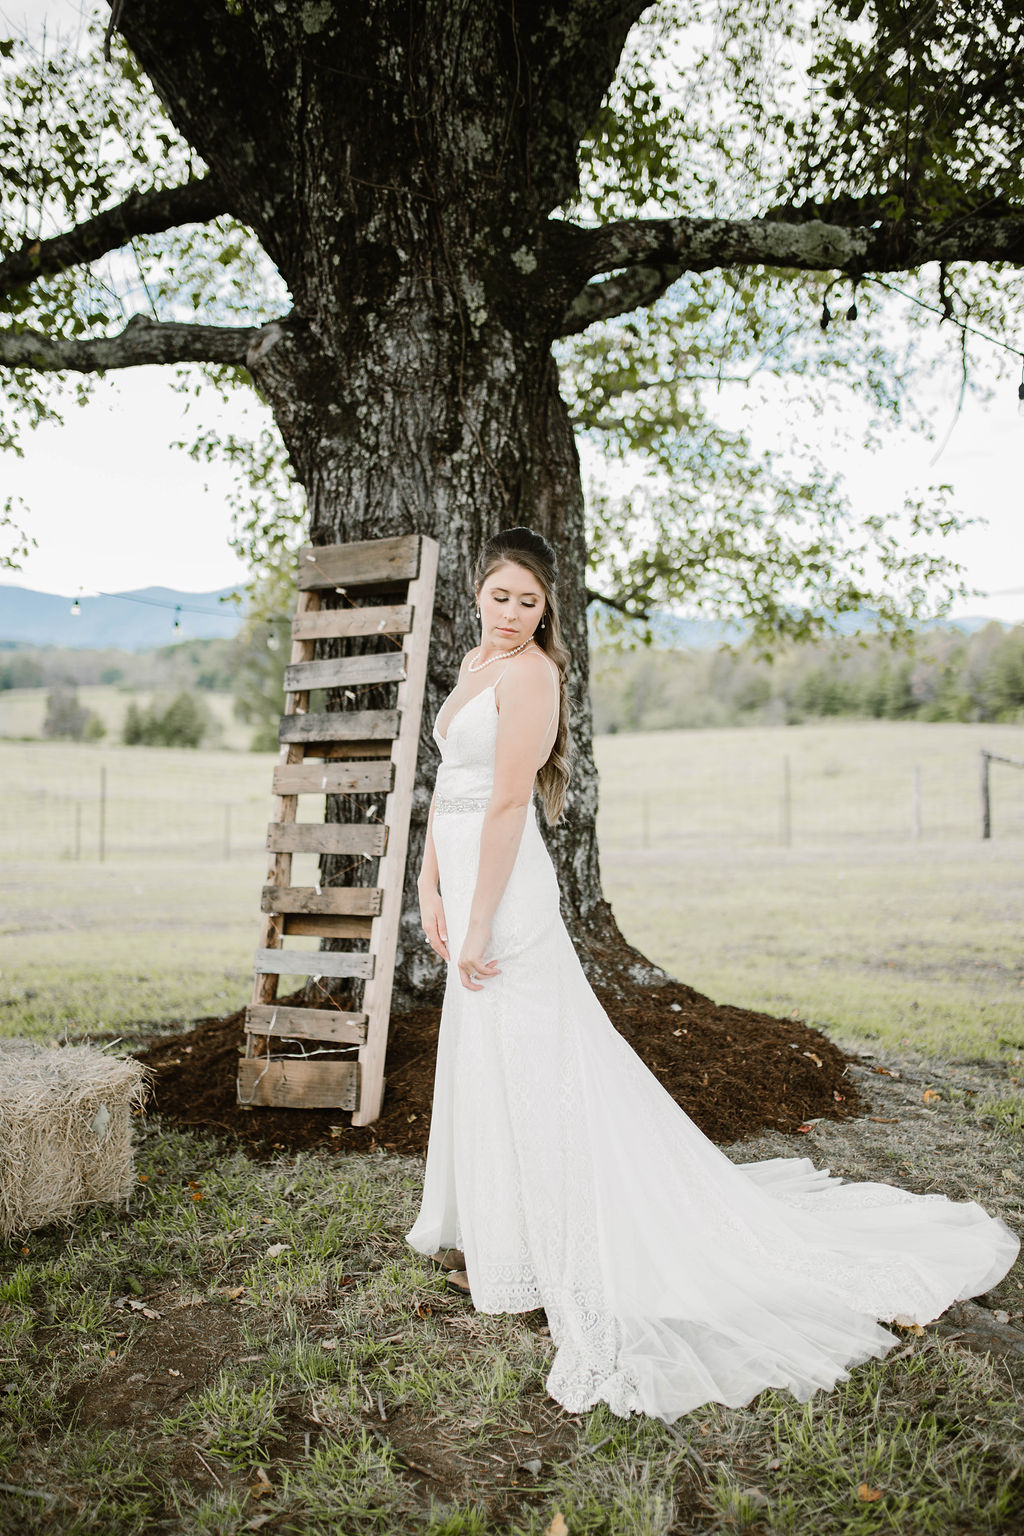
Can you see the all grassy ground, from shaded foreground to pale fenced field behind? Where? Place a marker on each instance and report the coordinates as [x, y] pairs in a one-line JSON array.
[[251, 1346]]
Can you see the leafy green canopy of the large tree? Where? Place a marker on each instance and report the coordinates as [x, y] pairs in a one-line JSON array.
[[744, 173]]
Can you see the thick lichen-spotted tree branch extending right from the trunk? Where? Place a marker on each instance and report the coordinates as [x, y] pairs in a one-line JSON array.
[[655, 253]]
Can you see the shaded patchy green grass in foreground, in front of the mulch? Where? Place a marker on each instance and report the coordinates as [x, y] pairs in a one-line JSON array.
[[345, 1389]]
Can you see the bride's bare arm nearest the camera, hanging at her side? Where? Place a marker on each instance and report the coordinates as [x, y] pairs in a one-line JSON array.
[[523, 724]]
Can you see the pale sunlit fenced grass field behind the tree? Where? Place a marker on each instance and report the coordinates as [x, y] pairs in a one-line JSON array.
[[856, 925]]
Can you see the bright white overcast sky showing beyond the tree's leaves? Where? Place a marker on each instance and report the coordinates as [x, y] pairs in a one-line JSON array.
[[114, 508]]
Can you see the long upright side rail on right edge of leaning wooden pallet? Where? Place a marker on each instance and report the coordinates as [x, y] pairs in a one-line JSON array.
[[377, 999]]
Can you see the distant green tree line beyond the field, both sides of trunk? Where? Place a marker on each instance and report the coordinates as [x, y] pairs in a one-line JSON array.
[[943, 675]]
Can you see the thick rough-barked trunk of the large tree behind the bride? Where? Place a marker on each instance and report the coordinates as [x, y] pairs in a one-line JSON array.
[[398, 170]]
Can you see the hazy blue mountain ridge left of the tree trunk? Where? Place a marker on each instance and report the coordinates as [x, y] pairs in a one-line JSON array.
[[124, 621]]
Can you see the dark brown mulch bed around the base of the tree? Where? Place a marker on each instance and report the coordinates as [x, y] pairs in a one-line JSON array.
[[735, 1073]]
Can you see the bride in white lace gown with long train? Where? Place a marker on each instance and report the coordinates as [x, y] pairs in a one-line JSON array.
[[560, 1173]]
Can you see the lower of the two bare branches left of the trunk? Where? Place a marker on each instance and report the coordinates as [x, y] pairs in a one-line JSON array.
[[142, 342]]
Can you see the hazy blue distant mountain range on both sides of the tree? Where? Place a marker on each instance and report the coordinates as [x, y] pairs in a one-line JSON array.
[[145, 618]]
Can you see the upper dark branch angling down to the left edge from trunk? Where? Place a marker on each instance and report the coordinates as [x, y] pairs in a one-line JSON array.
[[140, 214]]
